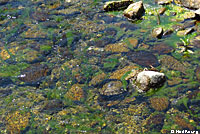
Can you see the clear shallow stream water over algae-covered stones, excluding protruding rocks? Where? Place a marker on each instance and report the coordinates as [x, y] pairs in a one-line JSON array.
[[58, 57]]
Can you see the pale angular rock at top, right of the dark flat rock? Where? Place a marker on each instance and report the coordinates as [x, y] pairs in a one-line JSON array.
[[135, 10]]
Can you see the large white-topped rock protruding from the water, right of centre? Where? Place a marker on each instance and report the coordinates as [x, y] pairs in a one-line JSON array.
[[145, 80]]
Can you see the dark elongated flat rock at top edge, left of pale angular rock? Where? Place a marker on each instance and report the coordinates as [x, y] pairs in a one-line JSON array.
[[117, 5]]
